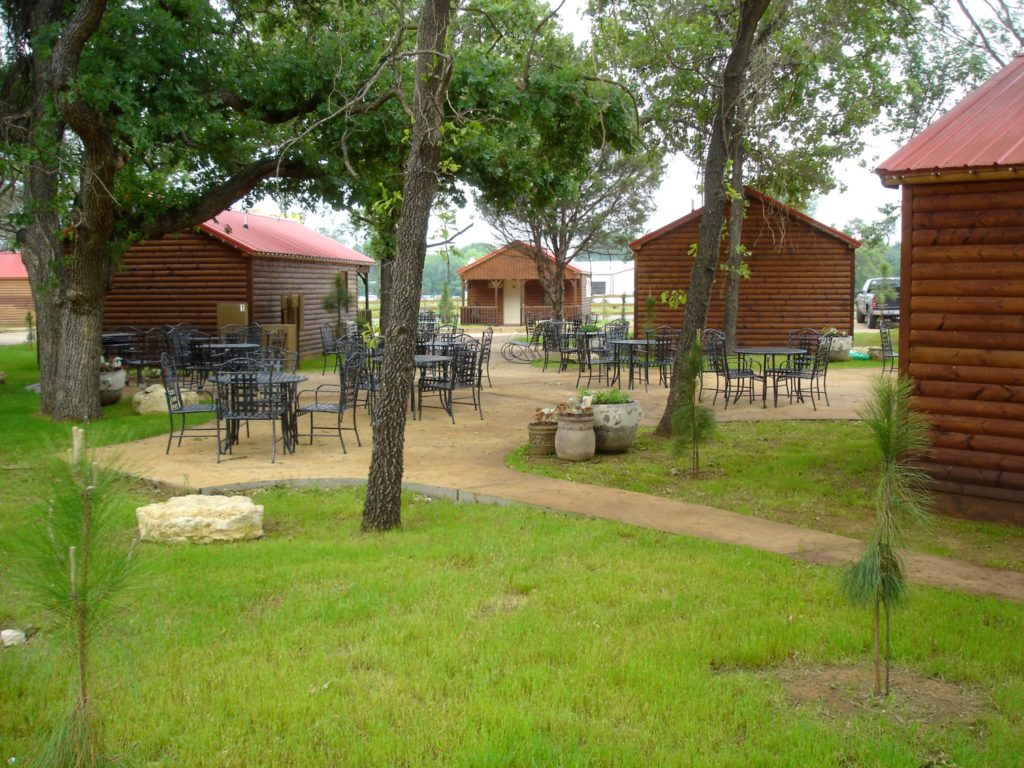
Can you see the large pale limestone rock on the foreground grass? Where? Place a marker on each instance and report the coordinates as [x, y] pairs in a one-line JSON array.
[[201, 520]]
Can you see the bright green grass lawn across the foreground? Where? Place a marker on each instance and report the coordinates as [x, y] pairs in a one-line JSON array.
[[485, 636]]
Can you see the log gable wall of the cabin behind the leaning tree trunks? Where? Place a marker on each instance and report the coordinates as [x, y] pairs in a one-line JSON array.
[[800, 278]]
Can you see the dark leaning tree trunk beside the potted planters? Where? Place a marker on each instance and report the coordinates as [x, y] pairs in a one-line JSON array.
[[710, 233]]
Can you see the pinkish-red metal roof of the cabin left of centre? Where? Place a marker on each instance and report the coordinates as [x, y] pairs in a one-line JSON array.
[[267, 235]]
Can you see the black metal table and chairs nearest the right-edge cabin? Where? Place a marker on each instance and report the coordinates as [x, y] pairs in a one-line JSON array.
[[799, 369]]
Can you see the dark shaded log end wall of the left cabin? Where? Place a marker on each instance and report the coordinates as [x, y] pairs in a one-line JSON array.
[[178, 279]]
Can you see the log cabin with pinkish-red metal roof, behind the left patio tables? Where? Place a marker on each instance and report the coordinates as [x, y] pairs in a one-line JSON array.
[[236, 258]]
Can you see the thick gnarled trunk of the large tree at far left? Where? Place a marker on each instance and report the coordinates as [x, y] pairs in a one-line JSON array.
[[69, 292]]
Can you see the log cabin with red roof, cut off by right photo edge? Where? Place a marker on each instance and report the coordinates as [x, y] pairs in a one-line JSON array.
[[962, 304]]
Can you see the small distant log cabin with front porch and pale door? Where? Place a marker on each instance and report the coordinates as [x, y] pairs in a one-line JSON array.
[[504, 289]]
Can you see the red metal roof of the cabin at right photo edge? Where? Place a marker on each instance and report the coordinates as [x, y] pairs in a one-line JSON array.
[[984, 132]]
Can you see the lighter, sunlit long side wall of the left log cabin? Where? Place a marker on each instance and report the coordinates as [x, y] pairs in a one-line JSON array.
[[274, 277]]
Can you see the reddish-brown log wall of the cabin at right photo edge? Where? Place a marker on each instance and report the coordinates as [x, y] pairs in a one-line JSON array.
[[963, 339]]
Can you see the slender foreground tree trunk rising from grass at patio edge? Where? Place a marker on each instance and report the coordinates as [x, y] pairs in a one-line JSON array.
[[382, 510]]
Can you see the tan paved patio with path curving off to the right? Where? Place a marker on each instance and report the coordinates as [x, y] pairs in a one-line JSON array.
[[466, 461]]
